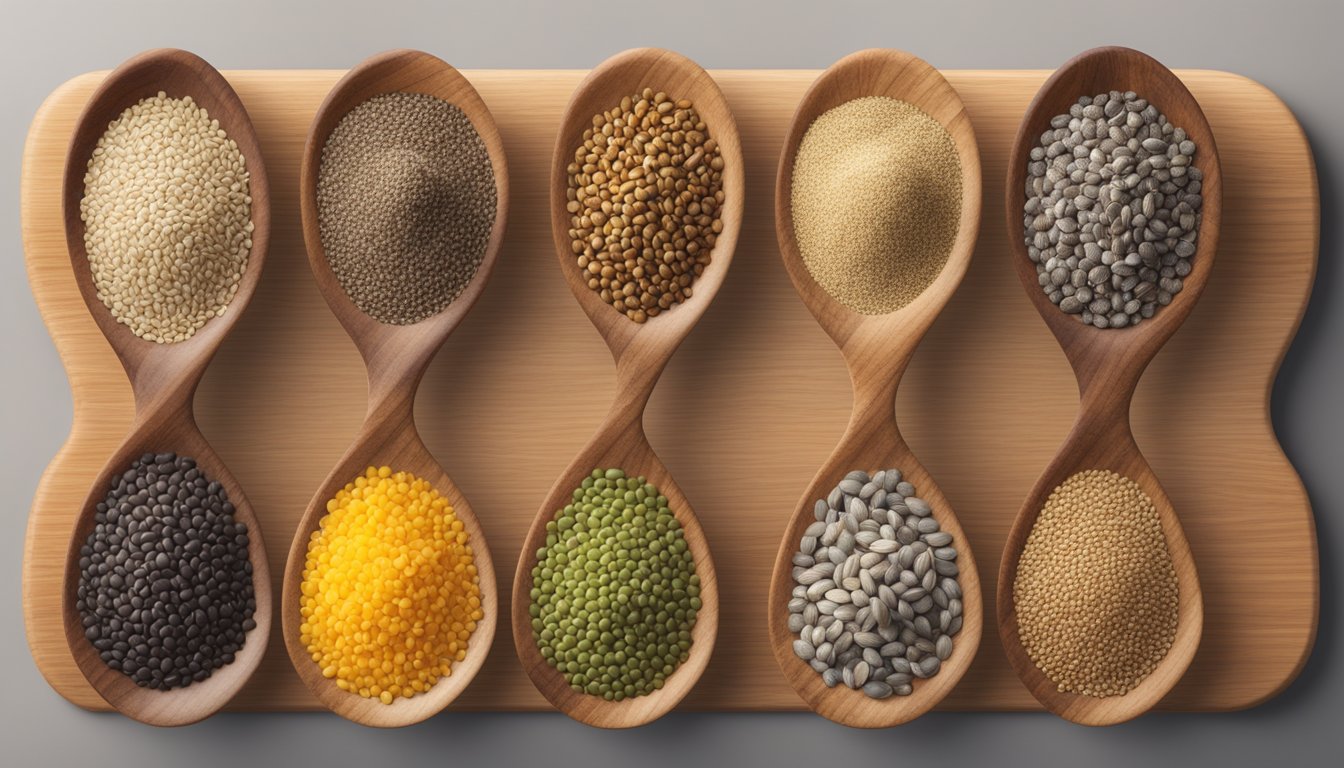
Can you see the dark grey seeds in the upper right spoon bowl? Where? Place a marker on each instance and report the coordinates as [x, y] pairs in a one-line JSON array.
[[1112, 215]]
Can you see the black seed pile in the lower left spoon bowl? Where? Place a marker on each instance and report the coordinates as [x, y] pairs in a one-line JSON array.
[[166, 588]]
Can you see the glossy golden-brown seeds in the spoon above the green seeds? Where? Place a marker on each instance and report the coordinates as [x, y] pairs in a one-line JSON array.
[[644, 197]]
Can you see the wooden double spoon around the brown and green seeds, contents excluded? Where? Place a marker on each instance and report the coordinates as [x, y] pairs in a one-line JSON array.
[[642, 352]]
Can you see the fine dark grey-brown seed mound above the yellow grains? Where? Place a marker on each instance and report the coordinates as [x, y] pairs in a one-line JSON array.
[[407, 202]]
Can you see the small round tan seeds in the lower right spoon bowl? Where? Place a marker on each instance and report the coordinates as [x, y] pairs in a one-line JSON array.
[[1096, 591]]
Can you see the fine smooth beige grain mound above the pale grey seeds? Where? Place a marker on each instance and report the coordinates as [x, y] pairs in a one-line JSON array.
[[877, 202]]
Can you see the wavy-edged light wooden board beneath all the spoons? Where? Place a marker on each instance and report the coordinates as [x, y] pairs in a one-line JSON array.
[[752, 404]]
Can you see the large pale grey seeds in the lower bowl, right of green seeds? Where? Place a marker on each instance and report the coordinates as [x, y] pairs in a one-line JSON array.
[[877, 599]]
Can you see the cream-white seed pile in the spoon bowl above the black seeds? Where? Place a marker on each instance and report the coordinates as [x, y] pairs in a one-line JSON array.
[[167, 219]]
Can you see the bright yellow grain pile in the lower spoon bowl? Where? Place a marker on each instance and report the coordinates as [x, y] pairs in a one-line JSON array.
[[390, 592]]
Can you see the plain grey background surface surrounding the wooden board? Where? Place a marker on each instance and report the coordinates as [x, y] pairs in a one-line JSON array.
[[1292, 48]]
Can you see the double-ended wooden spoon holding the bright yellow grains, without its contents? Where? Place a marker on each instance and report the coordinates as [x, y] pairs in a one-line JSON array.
[[396, 357]]
